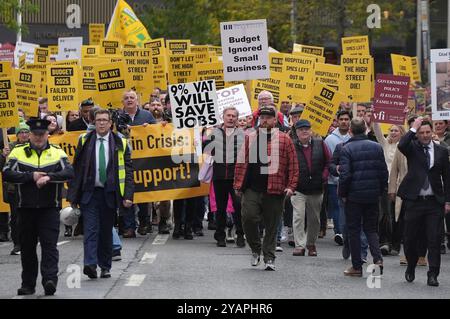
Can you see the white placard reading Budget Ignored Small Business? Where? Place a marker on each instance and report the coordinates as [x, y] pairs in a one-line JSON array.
[[245, 50]]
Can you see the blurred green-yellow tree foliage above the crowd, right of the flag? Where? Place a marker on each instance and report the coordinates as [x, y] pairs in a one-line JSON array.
[[316, 22]]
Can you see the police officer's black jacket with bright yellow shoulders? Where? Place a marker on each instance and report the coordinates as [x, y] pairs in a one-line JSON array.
[[21, 164]]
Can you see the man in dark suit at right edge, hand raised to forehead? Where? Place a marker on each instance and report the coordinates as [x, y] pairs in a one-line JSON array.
[[425, 191]]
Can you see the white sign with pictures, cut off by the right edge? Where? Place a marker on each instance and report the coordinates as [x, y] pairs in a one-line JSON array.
[[440, 84]]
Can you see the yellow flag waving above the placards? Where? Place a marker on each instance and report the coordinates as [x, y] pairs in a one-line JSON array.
[[125, 26]]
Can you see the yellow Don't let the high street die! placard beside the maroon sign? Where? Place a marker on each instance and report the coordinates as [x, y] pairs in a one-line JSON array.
[[357, 78]]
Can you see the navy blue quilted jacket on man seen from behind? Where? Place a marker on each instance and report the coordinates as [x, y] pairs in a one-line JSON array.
[[363, 171]]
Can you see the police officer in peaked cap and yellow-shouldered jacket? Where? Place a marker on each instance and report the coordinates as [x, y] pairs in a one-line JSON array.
[[39, 169]]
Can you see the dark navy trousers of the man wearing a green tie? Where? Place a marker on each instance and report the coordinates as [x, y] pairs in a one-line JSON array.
[[98, 223]]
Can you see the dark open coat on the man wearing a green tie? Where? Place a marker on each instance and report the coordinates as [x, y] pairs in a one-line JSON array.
[[81, 188]]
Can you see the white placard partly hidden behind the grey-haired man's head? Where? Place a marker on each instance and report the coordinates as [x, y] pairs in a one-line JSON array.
[[233, 96]]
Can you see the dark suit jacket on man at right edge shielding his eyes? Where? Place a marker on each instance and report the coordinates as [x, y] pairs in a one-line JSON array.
[[438, 175]]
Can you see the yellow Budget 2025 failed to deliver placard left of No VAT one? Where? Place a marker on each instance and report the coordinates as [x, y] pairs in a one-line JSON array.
[[63, 87]]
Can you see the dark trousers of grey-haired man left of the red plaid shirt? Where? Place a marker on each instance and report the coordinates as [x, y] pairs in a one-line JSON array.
[[222, 189]]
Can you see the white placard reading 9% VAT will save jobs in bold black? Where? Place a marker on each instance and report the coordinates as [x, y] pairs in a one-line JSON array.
[[194, 104]]
